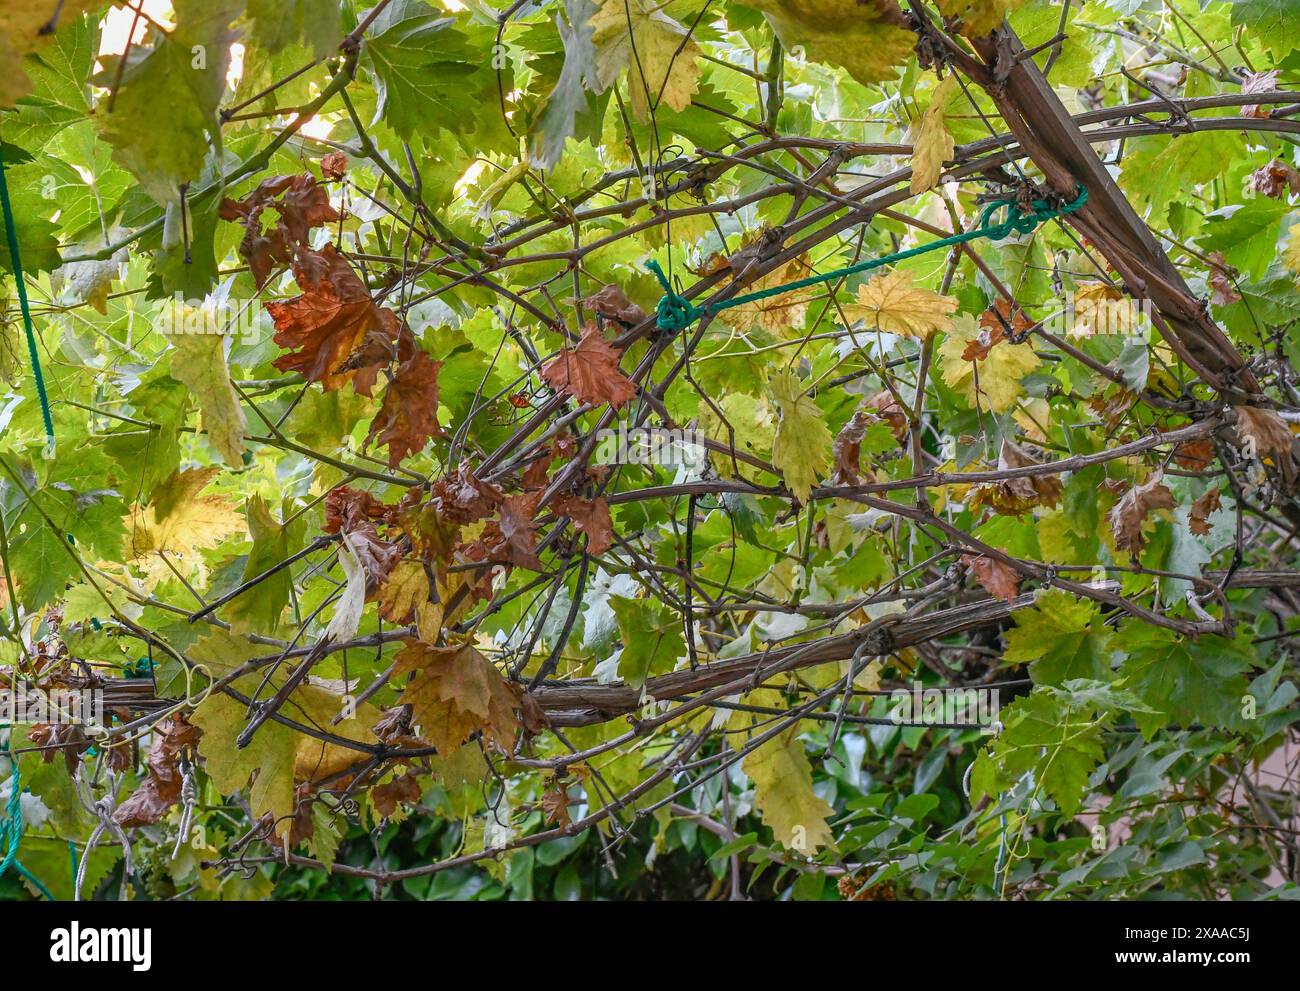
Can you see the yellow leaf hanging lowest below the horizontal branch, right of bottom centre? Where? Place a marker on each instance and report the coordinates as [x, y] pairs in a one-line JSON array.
[[785, 797]]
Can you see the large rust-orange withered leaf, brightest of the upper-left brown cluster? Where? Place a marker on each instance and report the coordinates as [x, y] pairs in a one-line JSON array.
[[323, 327]]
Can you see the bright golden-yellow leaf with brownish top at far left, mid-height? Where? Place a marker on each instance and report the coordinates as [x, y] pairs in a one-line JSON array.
[[179, 522]]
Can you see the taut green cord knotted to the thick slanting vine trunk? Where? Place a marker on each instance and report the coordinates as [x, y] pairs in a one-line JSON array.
[[675, 313]]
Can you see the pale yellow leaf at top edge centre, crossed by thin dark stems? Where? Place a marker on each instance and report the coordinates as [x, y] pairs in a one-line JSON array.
[[656, 50]]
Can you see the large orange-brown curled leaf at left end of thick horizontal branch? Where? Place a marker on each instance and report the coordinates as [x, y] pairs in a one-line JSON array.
[[456, 693]]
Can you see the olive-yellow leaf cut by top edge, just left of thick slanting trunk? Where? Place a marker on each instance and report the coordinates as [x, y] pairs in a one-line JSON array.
[[869, 38]]
